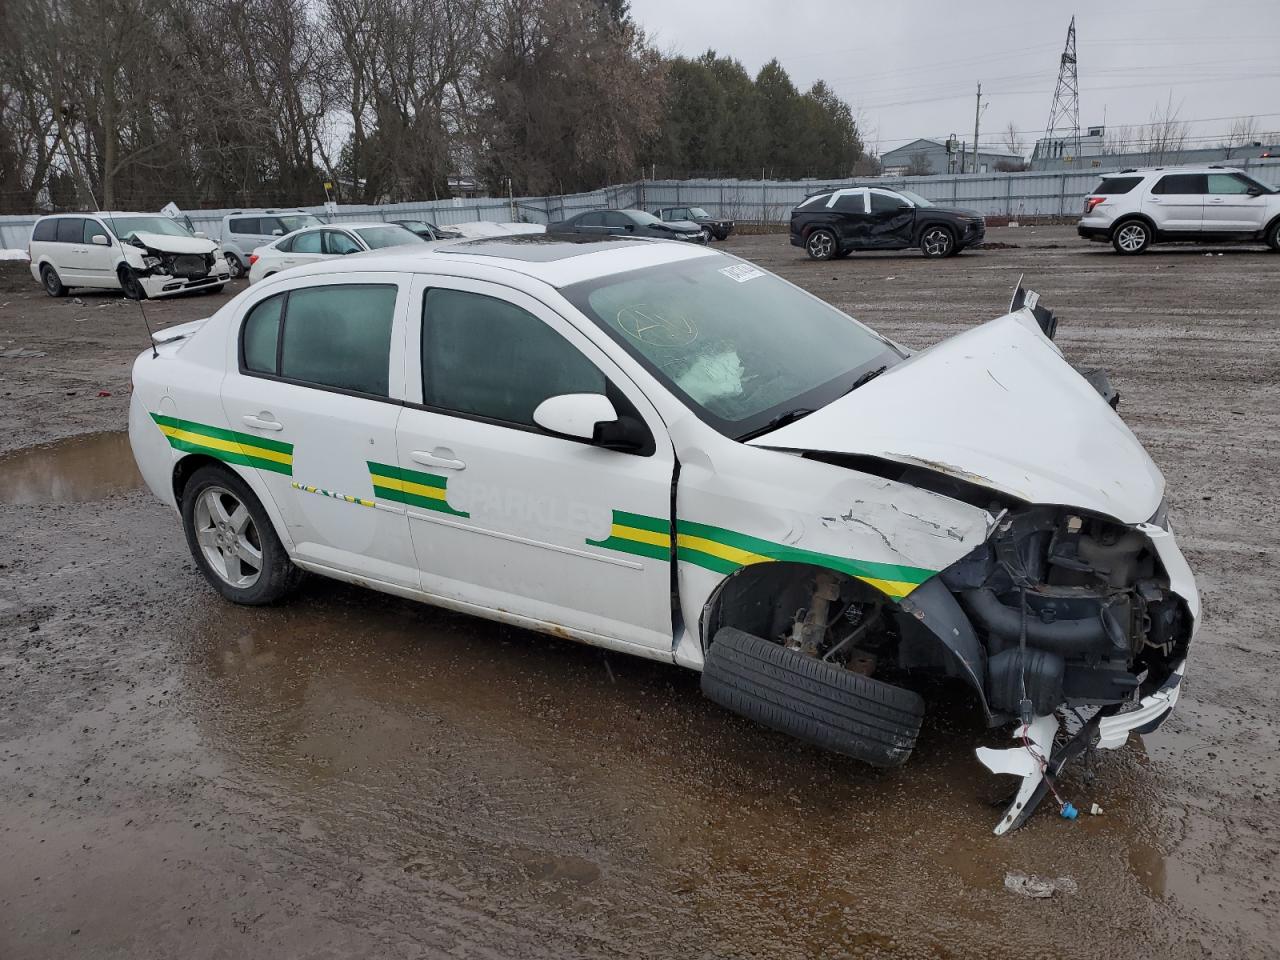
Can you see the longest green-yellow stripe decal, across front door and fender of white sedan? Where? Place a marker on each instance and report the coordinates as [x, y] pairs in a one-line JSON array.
[[728, 551]]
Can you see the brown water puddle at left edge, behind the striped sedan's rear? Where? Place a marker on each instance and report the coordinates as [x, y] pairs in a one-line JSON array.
[[76, 470]]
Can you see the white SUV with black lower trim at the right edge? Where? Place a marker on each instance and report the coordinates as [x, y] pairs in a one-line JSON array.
[[1135, 209]]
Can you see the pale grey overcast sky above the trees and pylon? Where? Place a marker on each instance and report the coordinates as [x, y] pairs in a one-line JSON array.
[[911, 68]]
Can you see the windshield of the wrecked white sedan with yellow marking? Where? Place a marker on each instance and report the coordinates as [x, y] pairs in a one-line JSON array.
[[738, 345]]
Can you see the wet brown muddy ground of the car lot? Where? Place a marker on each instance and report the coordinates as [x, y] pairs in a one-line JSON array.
[[359, 776]]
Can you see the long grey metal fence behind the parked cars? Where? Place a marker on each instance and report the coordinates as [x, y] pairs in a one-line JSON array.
[[1014, 195]]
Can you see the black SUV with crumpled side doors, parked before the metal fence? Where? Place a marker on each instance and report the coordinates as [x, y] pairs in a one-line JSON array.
[[838, 222]]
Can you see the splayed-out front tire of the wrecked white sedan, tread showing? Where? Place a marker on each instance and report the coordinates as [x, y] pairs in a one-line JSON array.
[[816, 702]]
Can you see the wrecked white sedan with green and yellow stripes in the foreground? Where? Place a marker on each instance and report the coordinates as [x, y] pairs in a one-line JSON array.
[[662, 450]]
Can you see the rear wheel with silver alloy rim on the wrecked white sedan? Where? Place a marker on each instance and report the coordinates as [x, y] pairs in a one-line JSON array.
[[234, 542]]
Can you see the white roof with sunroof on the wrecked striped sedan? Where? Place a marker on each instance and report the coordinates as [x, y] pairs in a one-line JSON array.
[[557, 262]]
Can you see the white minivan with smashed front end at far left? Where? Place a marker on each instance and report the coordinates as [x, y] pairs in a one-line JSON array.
[[147, 255]]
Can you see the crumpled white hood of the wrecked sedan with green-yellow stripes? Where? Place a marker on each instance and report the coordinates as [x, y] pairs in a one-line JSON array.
[[1000, 408]]
